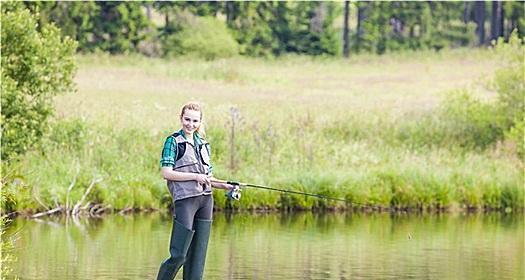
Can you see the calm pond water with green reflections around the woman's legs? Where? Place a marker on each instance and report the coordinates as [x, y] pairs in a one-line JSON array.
[[280, 246]]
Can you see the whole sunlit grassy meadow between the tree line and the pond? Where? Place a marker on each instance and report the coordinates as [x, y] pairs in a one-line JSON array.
[[376, 130]]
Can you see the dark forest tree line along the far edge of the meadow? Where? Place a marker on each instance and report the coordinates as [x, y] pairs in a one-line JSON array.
[[273, 28]]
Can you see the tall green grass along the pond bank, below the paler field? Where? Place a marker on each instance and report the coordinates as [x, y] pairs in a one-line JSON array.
[[363, 166]]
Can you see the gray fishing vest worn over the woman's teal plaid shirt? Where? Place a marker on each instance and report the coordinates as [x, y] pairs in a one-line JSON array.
[[192, 162]]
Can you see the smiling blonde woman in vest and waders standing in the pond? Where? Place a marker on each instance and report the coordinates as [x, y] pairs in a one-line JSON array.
[[186, 166]]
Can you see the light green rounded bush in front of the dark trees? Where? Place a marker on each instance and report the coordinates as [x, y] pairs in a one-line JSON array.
[[204, 37]]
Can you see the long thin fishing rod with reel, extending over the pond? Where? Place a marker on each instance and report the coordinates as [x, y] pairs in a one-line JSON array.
[[235, 193]]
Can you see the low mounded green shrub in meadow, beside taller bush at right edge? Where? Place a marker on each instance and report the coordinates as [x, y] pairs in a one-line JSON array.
[[461, 120]]
